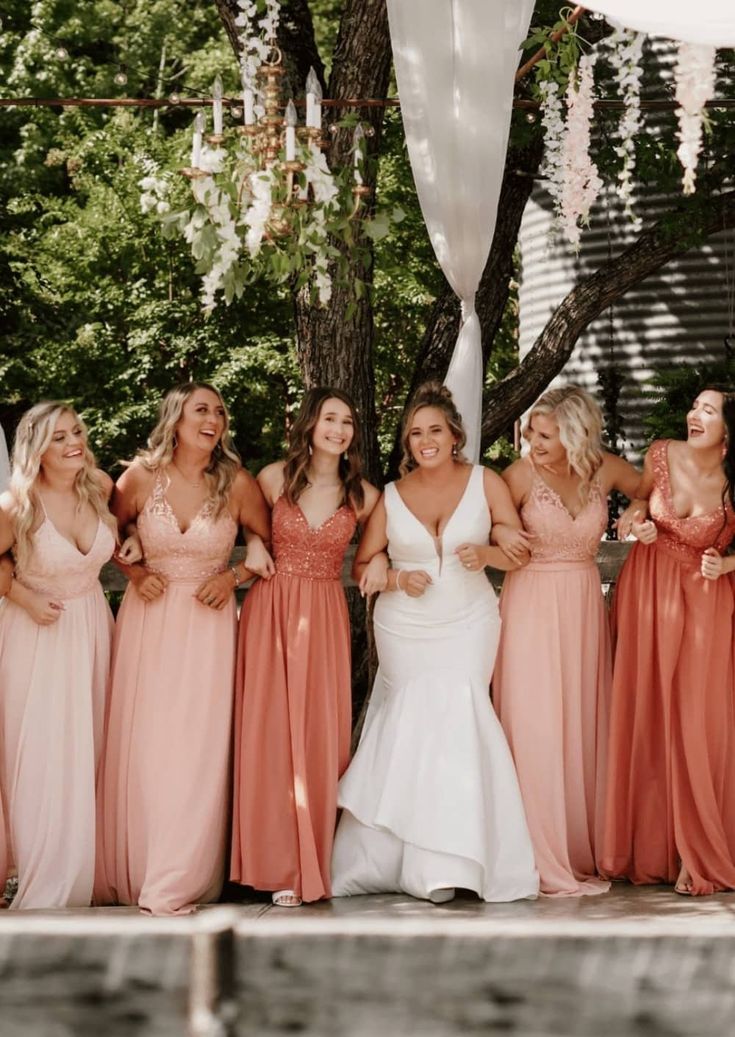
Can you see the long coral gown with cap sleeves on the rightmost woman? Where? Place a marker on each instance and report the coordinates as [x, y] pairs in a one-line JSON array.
[[671, 778]]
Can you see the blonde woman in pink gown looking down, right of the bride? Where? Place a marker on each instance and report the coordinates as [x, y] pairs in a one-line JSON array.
[[553, 700]]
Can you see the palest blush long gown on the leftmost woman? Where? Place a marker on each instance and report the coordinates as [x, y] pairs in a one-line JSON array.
[[52, 707]]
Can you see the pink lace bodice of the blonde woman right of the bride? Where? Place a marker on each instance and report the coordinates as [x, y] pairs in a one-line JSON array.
[[558, 536]]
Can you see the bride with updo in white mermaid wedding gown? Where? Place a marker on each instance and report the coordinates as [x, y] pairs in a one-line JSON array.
[[431, 801]]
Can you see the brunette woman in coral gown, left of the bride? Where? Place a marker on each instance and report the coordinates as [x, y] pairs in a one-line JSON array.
[[294, 704]]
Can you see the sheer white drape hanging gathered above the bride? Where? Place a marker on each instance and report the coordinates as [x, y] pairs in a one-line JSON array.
[[456, 62]]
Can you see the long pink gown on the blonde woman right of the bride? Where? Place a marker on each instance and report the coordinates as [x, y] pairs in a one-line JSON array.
[[552, 685]]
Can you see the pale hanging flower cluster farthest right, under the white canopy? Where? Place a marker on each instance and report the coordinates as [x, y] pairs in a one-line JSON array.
[[695, 78]]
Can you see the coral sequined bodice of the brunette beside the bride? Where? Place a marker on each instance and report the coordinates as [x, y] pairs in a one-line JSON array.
[[301, 551]]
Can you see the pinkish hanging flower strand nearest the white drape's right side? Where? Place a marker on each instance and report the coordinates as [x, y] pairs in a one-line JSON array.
[[582, 183]]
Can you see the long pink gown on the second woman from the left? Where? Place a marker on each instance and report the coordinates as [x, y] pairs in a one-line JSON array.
[[163, 791]]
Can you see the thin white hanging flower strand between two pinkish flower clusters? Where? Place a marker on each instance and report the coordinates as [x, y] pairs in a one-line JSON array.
[[626, 49]]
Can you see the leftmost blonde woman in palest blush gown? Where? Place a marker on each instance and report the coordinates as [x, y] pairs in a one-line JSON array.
[[55, 631]]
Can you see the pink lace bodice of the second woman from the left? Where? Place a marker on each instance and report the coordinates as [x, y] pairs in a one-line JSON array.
[[202, 551]]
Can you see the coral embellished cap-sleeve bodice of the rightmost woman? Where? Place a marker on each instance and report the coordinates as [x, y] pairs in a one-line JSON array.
[[687, 538]]
